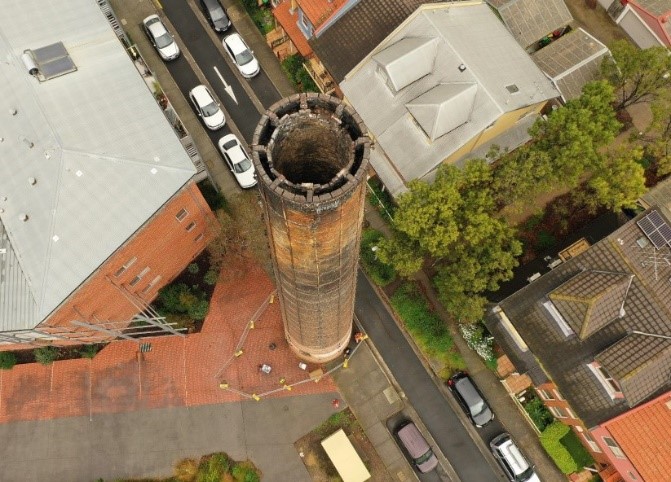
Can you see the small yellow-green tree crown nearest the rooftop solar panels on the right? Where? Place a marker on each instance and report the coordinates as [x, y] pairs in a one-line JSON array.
[[619, 181]]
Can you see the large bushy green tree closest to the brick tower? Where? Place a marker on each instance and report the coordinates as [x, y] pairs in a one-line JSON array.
[[453, 221]]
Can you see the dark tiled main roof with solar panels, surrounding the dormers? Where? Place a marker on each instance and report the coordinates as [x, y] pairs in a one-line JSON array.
[[647, 309]]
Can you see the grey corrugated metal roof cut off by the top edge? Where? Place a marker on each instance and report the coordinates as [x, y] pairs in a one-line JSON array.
[[531, 20]]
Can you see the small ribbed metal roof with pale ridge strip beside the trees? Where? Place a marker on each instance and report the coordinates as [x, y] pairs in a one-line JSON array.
[[571, 61]]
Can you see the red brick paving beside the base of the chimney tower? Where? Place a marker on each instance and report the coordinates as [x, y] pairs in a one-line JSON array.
[[178, 371]]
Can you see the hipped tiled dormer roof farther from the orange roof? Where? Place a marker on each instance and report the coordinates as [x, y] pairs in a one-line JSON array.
[[591, 299]]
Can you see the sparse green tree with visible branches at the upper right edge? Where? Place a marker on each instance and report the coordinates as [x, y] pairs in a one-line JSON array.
[[637, 75]]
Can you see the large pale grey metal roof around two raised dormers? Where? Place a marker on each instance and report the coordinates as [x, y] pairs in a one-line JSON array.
[[473, 48]]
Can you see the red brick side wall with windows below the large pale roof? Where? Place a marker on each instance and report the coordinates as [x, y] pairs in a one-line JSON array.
[[164, 245]]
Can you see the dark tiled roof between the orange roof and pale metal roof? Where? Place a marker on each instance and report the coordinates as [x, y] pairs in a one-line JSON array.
[[358, 32]]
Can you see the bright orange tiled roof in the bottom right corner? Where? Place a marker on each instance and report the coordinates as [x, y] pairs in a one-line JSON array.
[[644, 434]]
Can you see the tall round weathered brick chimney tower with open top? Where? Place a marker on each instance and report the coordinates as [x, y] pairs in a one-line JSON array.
[[311, 154]]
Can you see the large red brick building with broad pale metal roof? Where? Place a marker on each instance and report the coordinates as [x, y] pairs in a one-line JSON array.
[[98, 203]]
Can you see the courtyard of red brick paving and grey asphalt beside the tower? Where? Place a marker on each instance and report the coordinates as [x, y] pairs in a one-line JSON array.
[[127, 413]]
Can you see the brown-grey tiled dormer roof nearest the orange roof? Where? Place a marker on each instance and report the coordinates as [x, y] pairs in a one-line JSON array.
[[640, 363]]
